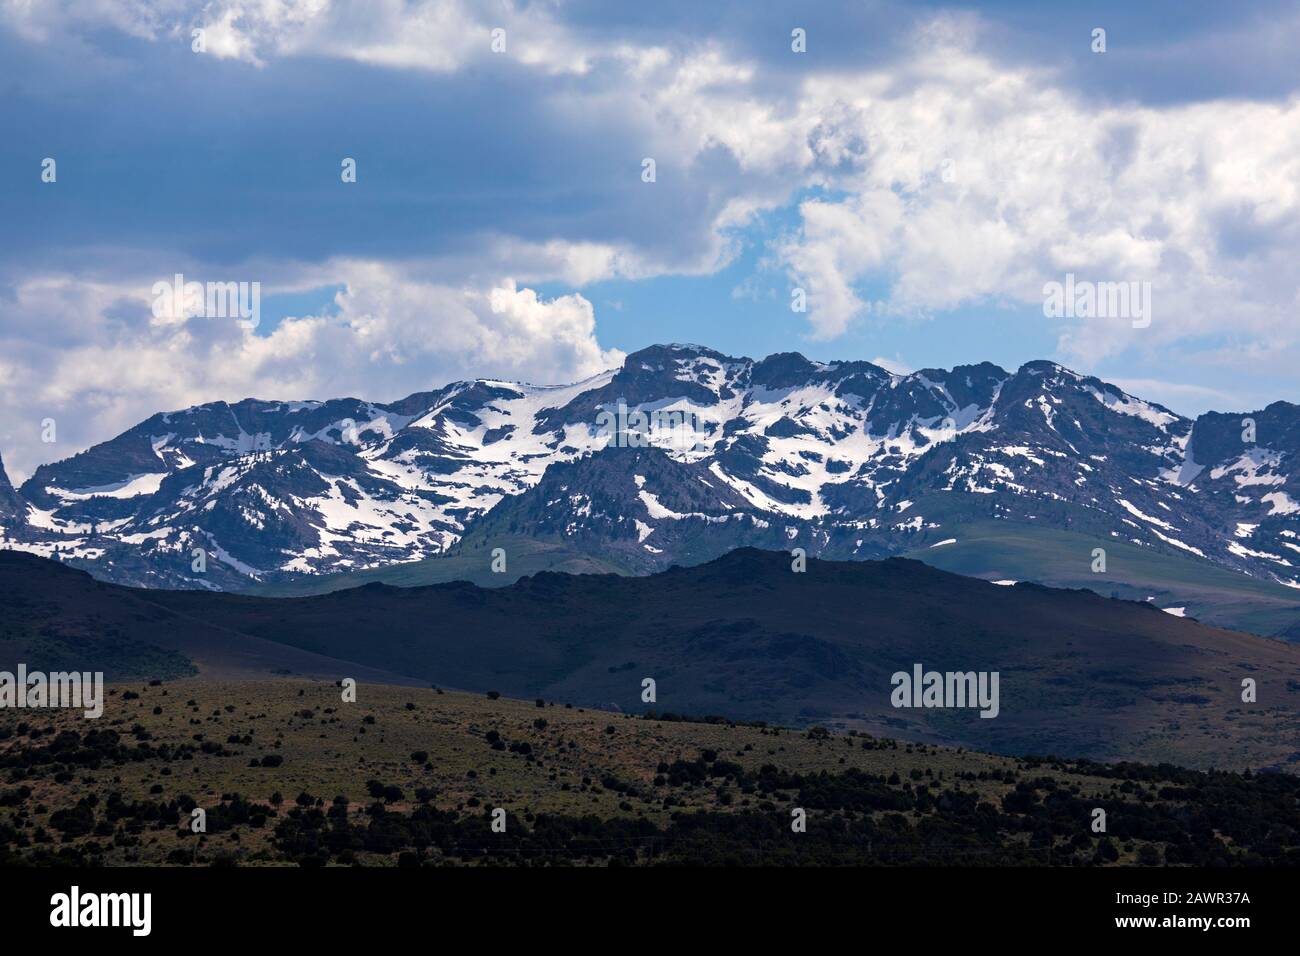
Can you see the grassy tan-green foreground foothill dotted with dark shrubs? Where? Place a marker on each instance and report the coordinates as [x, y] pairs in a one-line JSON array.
[[289, 775]]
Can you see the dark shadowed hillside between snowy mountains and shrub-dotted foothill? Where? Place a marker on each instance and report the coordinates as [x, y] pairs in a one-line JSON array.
[[746, 637]]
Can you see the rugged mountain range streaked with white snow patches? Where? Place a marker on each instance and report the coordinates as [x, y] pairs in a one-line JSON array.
[[681, 455]]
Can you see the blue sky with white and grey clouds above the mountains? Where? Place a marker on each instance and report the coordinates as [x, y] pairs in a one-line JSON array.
[[921, 172]]
